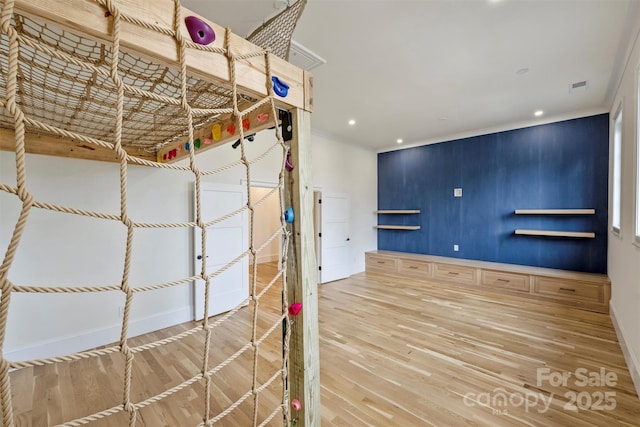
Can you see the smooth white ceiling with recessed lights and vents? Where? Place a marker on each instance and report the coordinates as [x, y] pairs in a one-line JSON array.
[[433, 70]]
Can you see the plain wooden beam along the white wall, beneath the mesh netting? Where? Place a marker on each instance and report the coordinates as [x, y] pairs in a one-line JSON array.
[[61, 147]]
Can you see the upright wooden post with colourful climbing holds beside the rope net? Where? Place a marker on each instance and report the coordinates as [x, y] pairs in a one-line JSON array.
[[302, 278]]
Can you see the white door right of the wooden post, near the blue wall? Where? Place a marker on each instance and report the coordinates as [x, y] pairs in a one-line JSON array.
[[335, 237]]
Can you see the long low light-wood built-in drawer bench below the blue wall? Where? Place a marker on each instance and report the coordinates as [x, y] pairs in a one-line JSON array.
[[584, 290]]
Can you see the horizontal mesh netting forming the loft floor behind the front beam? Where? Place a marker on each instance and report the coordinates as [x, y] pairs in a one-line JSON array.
[[64, 81]]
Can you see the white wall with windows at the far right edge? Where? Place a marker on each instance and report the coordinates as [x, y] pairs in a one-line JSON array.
[[623, 254]]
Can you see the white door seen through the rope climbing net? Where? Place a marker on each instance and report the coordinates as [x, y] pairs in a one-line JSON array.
[[226, 240]]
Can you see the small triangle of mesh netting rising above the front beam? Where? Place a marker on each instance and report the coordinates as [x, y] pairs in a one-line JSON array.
[[276, 33]]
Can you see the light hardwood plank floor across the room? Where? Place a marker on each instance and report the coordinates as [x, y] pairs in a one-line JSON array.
[[394, 352]]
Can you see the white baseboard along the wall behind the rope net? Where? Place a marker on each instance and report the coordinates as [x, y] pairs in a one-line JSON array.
[[99, 337]]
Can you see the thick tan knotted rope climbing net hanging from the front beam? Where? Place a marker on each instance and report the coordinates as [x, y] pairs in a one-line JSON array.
[[106, 73]]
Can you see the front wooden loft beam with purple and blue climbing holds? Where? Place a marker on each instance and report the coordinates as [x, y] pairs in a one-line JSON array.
[[86, 17]]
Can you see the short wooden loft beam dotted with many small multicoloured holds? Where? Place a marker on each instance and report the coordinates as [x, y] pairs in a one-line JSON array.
[[218, 133]]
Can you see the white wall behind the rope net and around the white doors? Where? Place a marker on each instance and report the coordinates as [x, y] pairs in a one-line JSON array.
[[68, 250]]
